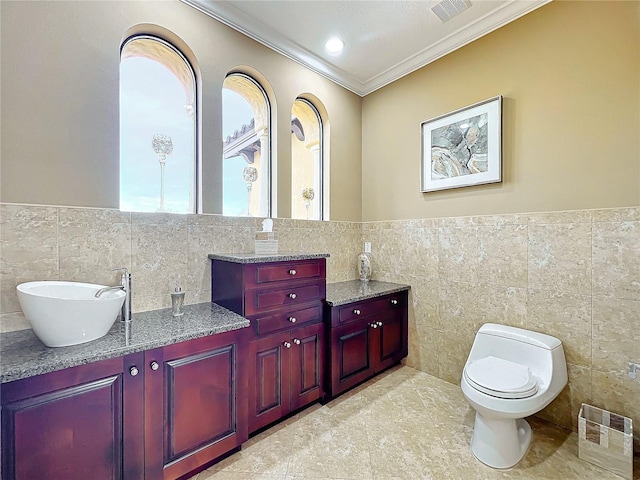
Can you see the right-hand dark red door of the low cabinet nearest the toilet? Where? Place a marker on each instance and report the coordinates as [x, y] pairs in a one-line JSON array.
[[391, 343]]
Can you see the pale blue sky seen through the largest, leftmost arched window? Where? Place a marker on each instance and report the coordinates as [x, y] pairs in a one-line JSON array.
[[153, 101]]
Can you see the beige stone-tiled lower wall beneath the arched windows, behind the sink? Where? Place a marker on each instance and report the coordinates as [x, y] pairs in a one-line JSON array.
[[162, 251]]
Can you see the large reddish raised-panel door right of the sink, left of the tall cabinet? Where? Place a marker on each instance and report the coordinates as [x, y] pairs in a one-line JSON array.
[[195, 408]]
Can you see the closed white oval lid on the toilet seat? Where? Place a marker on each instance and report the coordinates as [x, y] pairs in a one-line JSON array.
[[501, 378]]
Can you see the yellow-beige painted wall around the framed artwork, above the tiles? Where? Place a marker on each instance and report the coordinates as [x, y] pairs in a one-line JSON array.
[[570, 76]]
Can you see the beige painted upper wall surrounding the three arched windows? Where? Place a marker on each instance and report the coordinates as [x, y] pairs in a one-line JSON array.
[[60, 101]]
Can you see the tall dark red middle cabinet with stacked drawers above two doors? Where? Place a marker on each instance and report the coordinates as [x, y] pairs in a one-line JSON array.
[[284, 302]]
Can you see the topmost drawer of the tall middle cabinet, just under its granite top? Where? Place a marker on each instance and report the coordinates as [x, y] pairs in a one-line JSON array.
[[264, 274]]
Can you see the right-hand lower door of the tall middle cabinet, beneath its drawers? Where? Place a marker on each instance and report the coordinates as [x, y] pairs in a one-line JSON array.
[[307, 360]]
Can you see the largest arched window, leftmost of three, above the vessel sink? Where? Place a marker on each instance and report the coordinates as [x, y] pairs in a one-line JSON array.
[[157, 128]]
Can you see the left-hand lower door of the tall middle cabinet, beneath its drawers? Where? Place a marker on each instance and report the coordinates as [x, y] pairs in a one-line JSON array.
[[270, 378]]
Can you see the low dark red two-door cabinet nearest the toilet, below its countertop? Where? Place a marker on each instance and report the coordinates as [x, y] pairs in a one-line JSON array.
[[365, 338]]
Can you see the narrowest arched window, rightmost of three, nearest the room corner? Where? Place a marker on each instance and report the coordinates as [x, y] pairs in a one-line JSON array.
[[306, 161]]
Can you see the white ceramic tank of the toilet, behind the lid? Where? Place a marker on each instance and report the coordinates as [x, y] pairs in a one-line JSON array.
[[541, 353]]
